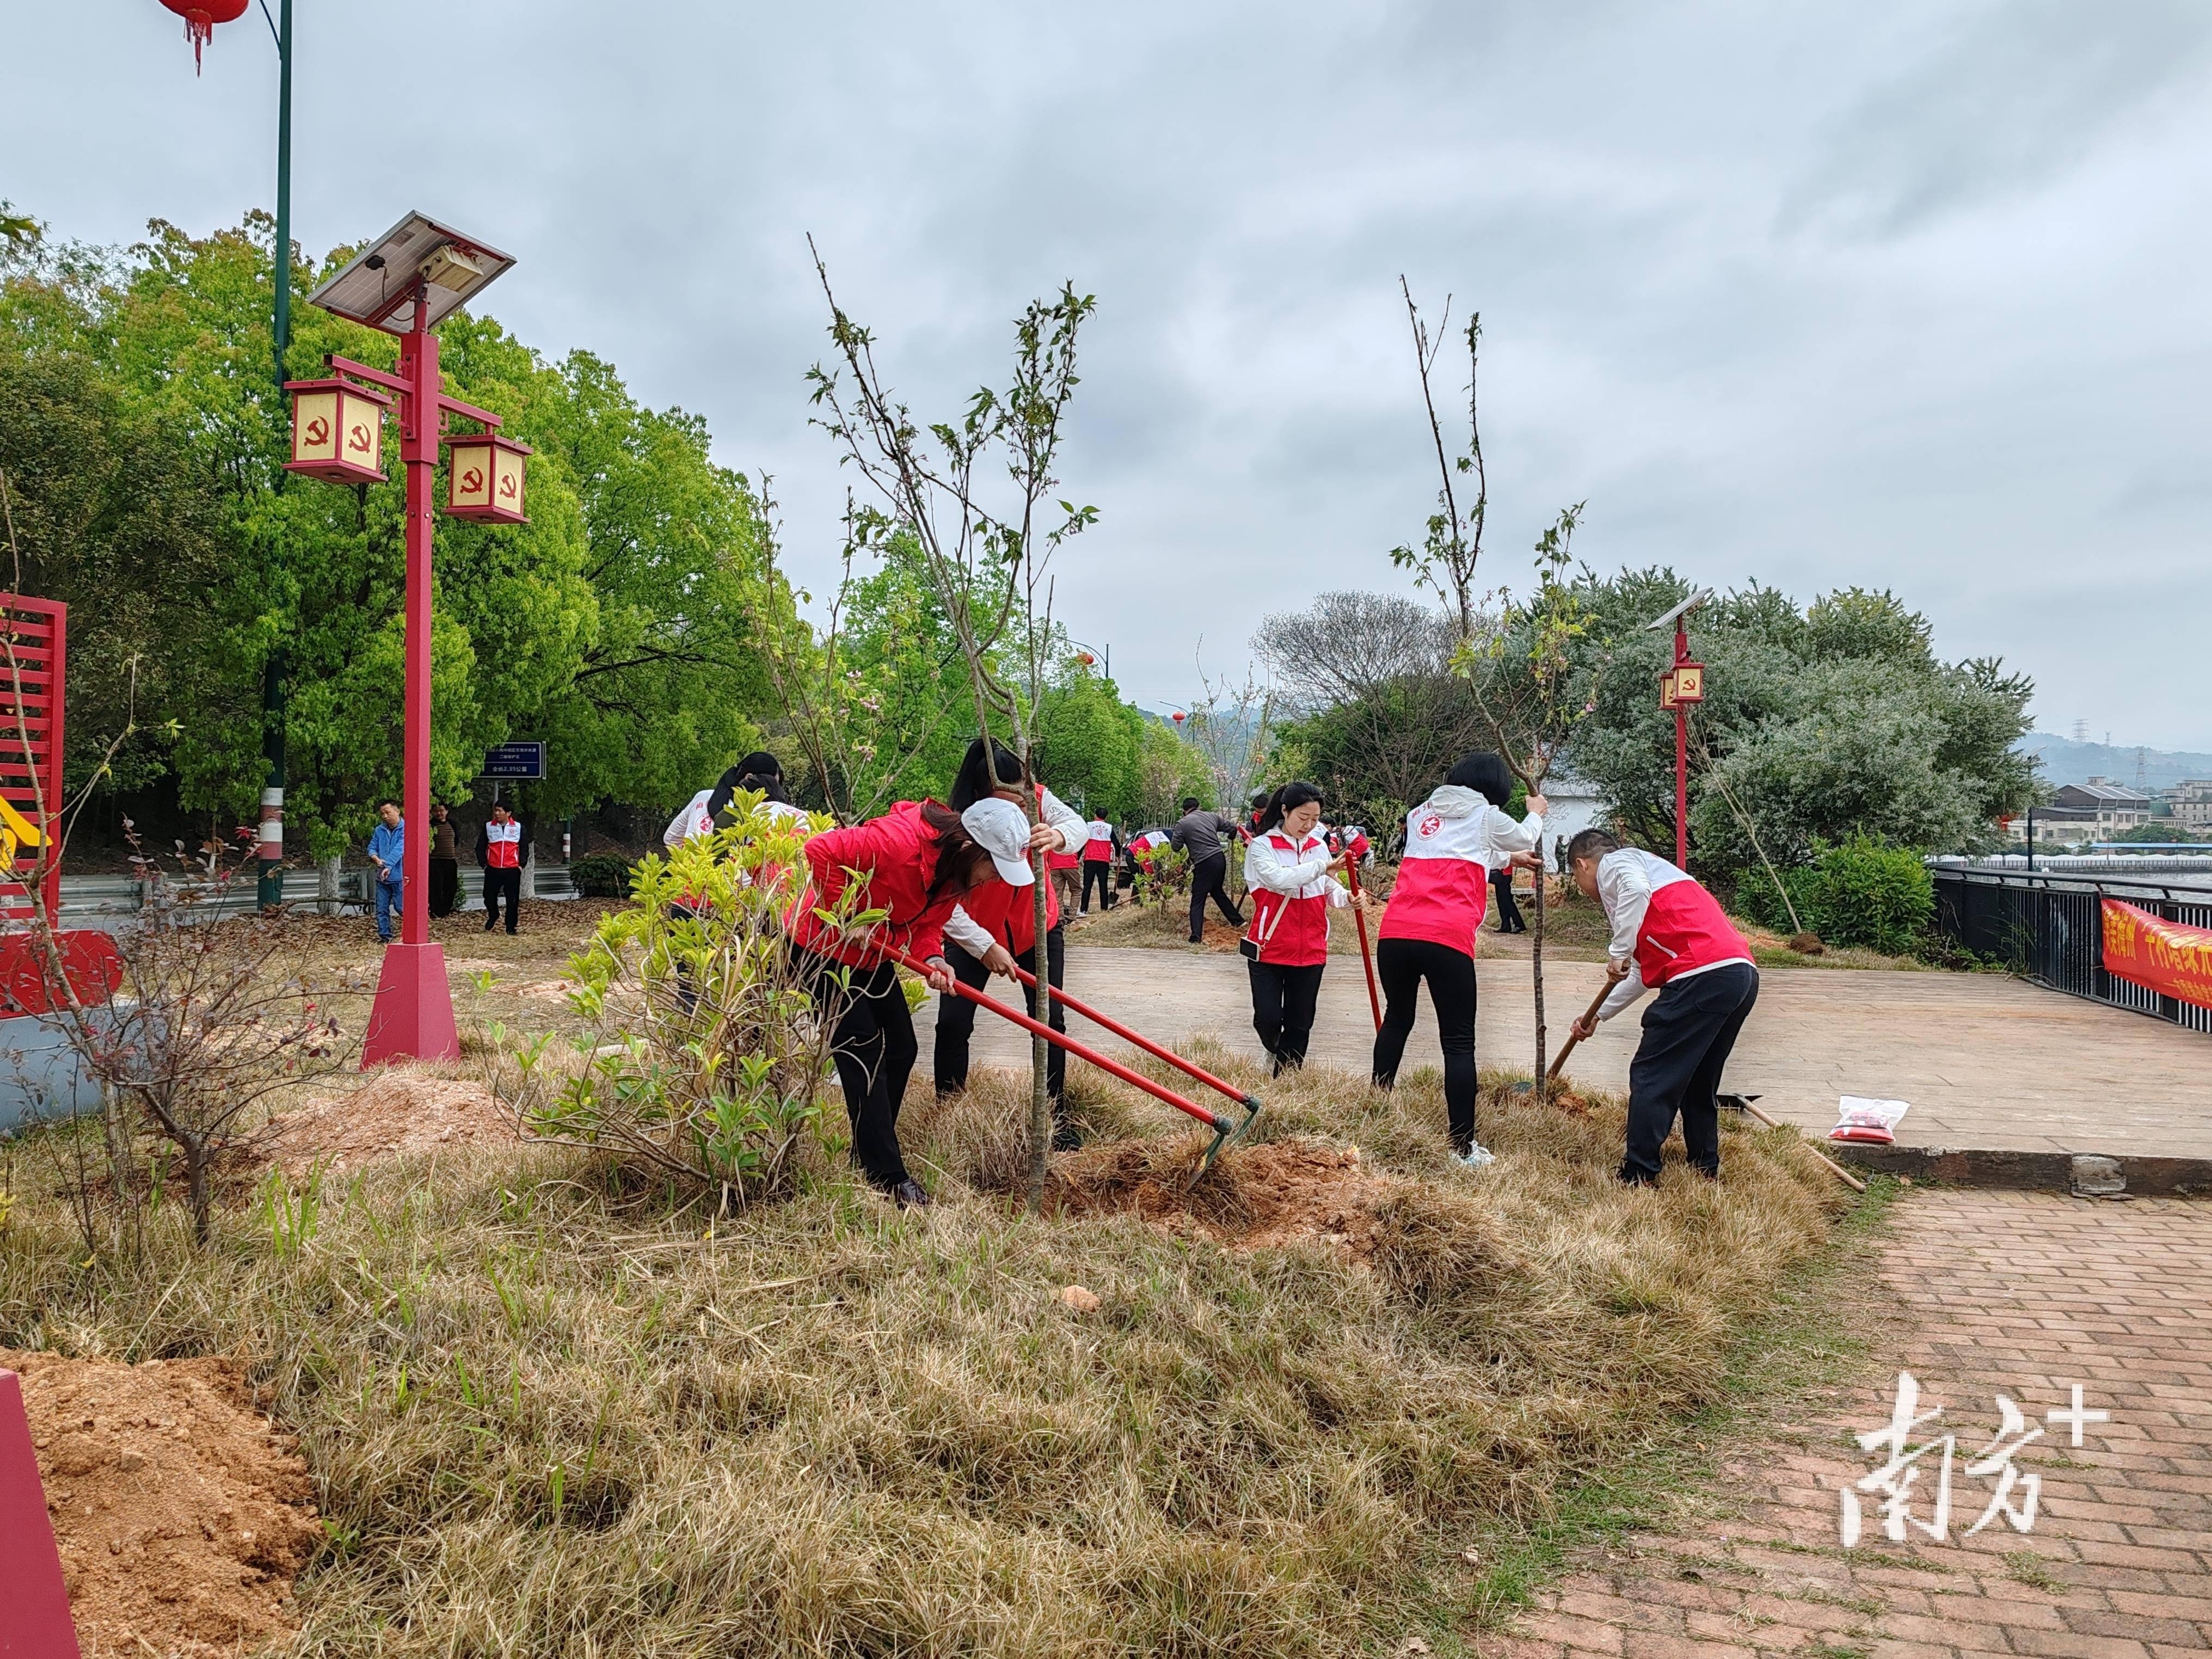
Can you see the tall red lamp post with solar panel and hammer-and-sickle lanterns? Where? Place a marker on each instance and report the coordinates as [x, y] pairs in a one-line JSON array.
[[406, 284]]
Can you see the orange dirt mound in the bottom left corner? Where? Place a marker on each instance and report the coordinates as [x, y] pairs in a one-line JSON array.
[[182, 1512]]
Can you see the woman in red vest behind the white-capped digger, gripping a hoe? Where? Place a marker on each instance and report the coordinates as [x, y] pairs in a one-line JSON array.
[[994, 930]]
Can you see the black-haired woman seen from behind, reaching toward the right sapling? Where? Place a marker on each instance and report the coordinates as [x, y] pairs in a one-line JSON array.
[[1452, 844]]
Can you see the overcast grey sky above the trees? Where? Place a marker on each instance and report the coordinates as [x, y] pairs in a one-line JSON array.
[[1892, 295]]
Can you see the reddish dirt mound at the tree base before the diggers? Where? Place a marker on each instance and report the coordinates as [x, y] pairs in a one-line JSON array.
[[1255, 1196]]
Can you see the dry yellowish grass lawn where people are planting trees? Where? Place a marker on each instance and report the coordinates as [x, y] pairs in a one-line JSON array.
[[550, 1410]]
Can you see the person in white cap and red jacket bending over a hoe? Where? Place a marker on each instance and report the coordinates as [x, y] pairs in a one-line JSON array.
[[915, 864]]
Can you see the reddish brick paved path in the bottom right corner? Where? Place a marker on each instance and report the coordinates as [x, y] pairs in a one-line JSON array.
[[2016, 1293]]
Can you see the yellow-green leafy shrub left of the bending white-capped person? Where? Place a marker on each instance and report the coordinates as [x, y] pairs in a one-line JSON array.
[[707, 1058]]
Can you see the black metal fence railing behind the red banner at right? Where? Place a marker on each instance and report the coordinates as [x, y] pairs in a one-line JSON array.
[[2052, 930]]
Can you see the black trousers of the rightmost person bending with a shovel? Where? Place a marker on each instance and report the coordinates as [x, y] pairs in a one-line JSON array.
[[1689, 1036]]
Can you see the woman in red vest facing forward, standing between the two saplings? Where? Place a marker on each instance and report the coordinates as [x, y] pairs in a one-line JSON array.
[[1286, 943]]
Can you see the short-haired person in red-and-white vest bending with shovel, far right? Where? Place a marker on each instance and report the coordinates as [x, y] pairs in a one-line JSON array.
[[1673, 937]]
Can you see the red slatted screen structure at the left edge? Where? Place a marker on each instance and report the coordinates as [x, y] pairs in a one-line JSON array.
[[34, 669]]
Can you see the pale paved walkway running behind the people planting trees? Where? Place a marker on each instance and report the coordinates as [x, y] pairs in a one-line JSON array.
[[1987, 1063]]
